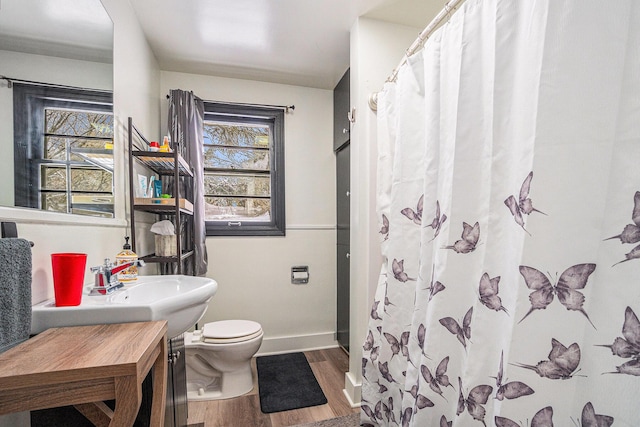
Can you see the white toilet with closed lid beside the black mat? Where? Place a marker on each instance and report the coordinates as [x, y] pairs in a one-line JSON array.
[[219, 359]]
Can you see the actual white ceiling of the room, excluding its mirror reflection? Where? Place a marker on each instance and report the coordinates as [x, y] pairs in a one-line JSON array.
[[298, 42]]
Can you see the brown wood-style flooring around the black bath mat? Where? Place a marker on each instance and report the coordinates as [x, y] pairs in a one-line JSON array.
[[329, 367]]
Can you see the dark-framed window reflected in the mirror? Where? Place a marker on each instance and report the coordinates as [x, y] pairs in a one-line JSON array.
[[63, 142]]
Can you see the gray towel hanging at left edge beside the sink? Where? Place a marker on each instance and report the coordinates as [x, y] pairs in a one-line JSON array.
[[15, 292]]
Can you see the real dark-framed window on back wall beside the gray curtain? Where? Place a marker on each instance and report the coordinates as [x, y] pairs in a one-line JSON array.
[[244, 170]]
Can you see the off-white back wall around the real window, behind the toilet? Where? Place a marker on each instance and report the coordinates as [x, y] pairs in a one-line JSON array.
[[254, 273]]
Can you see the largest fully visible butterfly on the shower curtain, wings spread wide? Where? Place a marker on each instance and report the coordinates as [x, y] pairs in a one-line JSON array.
[[572, 279]]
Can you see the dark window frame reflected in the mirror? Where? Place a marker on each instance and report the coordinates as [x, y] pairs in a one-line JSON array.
[[29, 105]]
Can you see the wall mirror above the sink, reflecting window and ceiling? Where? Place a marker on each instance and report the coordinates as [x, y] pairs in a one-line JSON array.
[[65, 44]]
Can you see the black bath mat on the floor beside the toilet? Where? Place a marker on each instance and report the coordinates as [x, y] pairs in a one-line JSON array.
[[286, 382]]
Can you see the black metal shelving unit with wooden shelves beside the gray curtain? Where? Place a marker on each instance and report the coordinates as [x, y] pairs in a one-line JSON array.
[[177, 209]]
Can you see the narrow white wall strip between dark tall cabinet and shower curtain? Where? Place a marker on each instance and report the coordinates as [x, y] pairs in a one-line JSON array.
[[376, 48]]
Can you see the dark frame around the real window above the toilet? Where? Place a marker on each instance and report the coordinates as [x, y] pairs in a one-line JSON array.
[[277, 224]]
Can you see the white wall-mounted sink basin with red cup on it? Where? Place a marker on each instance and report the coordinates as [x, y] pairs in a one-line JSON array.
[[181, 300]]
